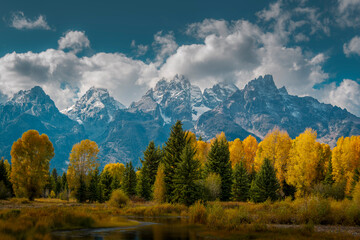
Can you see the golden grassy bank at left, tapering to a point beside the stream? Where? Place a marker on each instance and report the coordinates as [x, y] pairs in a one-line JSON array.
[[37, 222]]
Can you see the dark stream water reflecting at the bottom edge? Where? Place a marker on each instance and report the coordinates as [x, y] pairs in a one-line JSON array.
[[148, 231]]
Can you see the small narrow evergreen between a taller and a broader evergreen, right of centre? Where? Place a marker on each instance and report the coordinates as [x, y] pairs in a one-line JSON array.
[[241, 185]]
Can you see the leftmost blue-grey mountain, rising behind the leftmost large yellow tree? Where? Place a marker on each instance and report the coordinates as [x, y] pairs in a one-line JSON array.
[[33, 109]]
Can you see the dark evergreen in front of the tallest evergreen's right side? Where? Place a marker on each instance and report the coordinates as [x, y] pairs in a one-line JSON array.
[[186, 174]]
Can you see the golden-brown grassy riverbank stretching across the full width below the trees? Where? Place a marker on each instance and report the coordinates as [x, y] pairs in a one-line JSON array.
[[300, 219]]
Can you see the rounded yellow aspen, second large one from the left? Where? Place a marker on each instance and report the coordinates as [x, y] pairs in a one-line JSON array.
[[83, 163]]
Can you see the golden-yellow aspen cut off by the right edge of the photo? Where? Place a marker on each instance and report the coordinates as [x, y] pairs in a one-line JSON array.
[[345, 159]]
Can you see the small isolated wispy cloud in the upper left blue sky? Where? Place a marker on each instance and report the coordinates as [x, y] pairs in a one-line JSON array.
[[20, 22]]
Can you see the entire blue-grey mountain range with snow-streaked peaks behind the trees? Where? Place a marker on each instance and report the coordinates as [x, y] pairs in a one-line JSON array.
[[123, 133]]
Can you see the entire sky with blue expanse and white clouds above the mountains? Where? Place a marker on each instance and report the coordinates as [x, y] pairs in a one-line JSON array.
[[311, 47]]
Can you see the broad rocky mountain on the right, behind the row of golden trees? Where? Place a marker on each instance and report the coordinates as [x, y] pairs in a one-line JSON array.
[[261, 106]]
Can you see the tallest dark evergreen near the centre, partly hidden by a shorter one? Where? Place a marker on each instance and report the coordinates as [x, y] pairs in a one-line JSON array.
[[172, 152]]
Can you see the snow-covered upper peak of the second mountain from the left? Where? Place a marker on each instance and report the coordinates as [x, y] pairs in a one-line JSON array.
[[95, 104]]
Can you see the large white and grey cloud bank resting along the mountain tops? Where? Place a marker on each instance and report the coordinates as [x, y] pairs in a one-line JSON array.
[[233, 51]]
